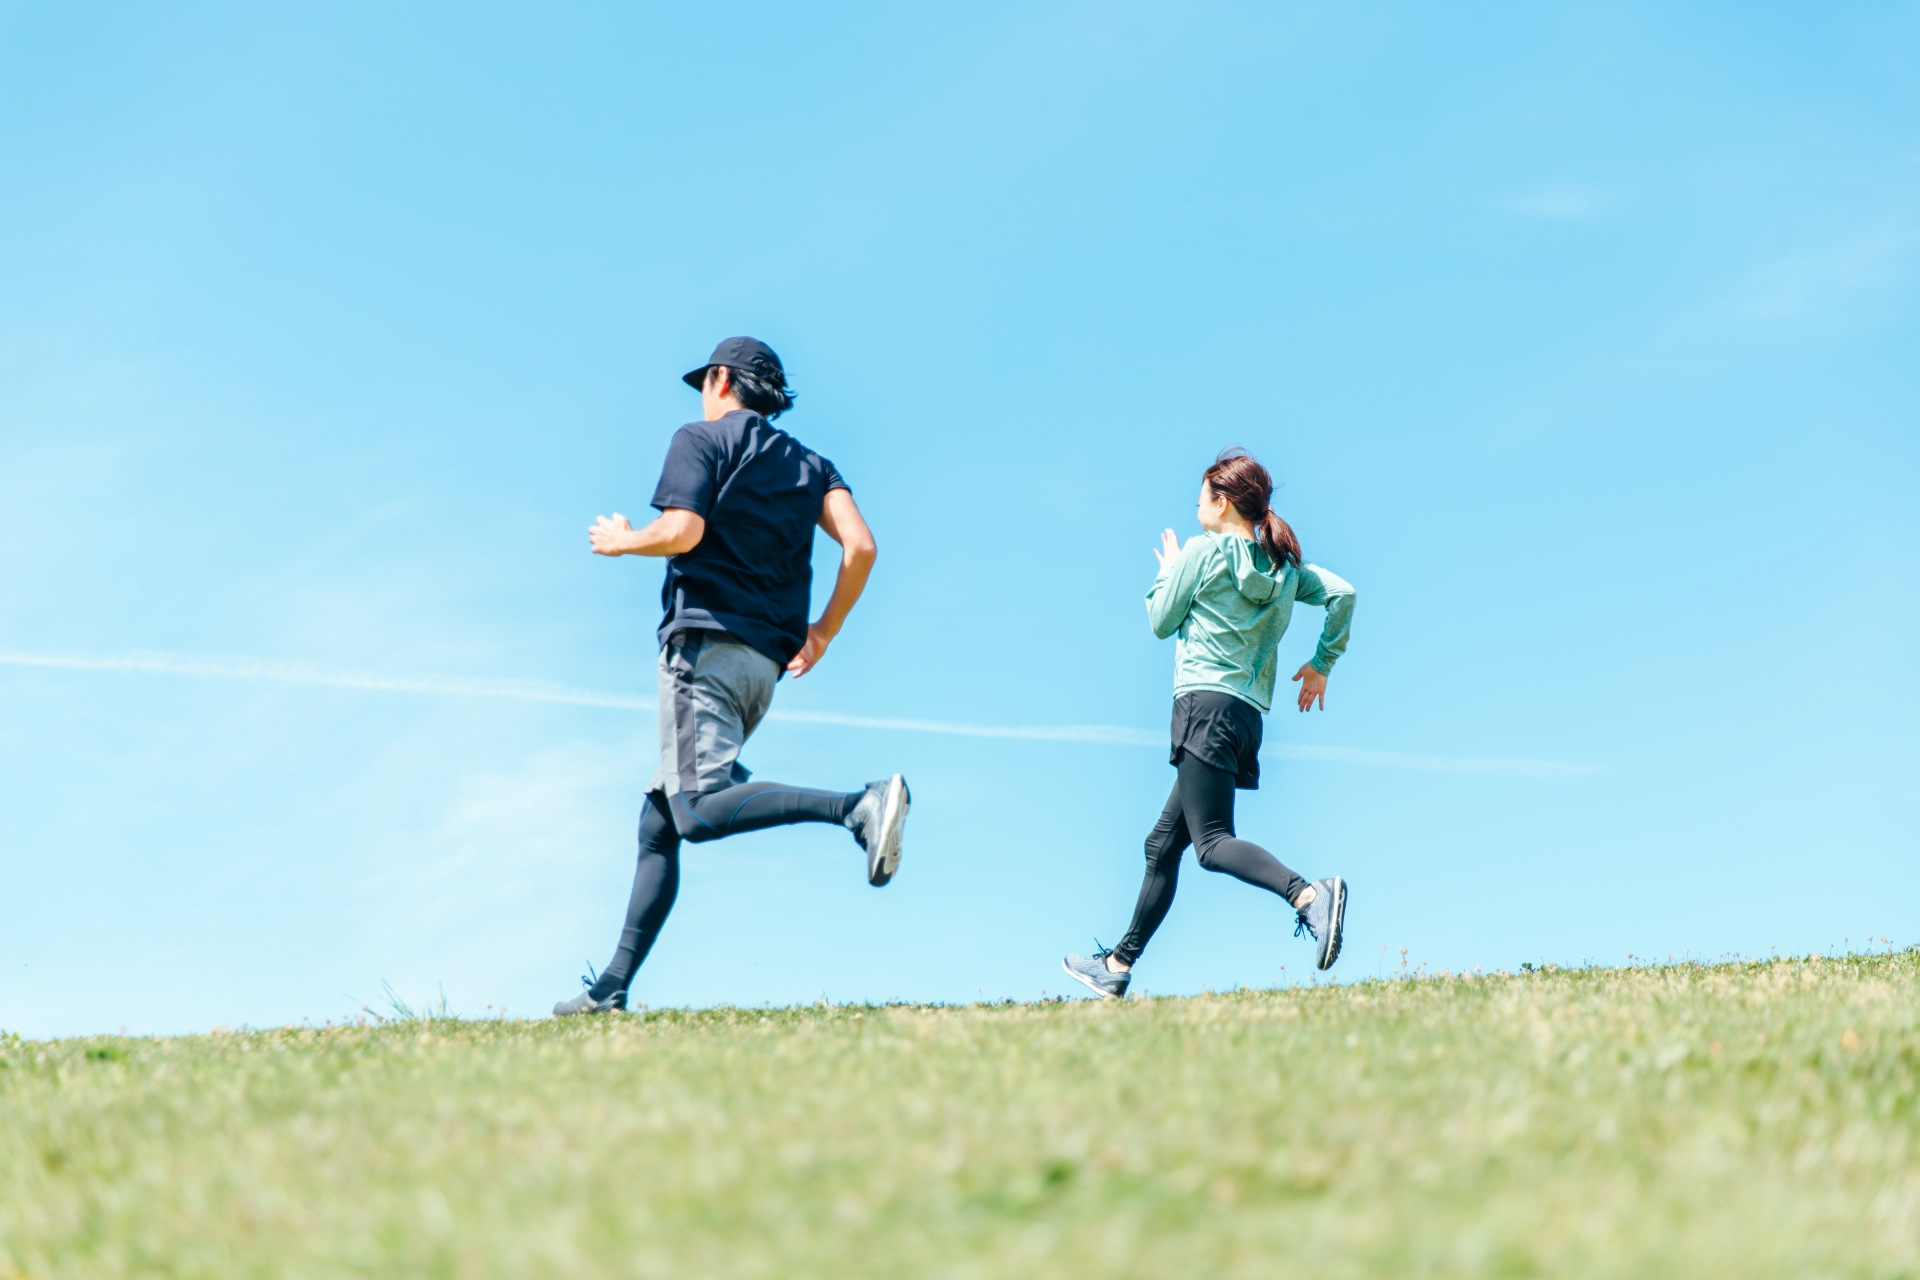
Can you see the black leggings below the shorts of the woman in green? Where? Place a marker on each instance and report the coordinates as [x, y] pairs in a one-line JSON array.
[[1201, 815]]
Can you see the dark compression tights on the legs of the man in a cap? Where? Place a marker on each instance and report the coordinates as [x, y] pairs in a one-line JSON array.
[[717, 815]]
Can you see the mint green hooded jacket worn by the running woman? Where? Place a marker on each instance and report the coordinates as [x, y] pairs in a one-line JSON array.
[[1230, 607]]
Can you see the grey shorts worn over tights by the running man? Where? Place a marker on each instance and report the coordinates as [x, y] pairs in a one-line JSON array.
[[715, 692]]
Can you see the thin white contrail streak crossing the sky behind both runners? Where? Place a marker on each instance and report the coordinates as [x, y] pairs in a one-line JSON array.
[[274, 671]]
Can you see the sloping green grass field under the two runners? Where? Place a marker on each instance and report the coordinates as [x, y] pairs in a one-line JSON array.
[[1746, 1120]]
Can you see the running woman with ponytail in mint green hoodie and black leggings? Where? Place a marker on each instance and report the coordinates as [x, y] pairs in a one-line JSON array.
[[1228, 596]]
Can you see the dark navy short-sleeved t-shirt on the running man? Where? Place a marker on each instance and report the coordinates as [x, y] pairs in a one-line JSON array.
[[761, 496]]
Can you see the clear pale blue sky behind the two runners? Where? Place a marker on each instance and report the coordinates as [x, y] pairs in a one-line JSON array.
[[1581, 341]]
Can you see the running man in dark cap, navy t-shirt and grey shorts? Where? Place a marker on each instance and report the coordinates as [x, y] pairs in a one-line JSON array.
[[738, 506]]
